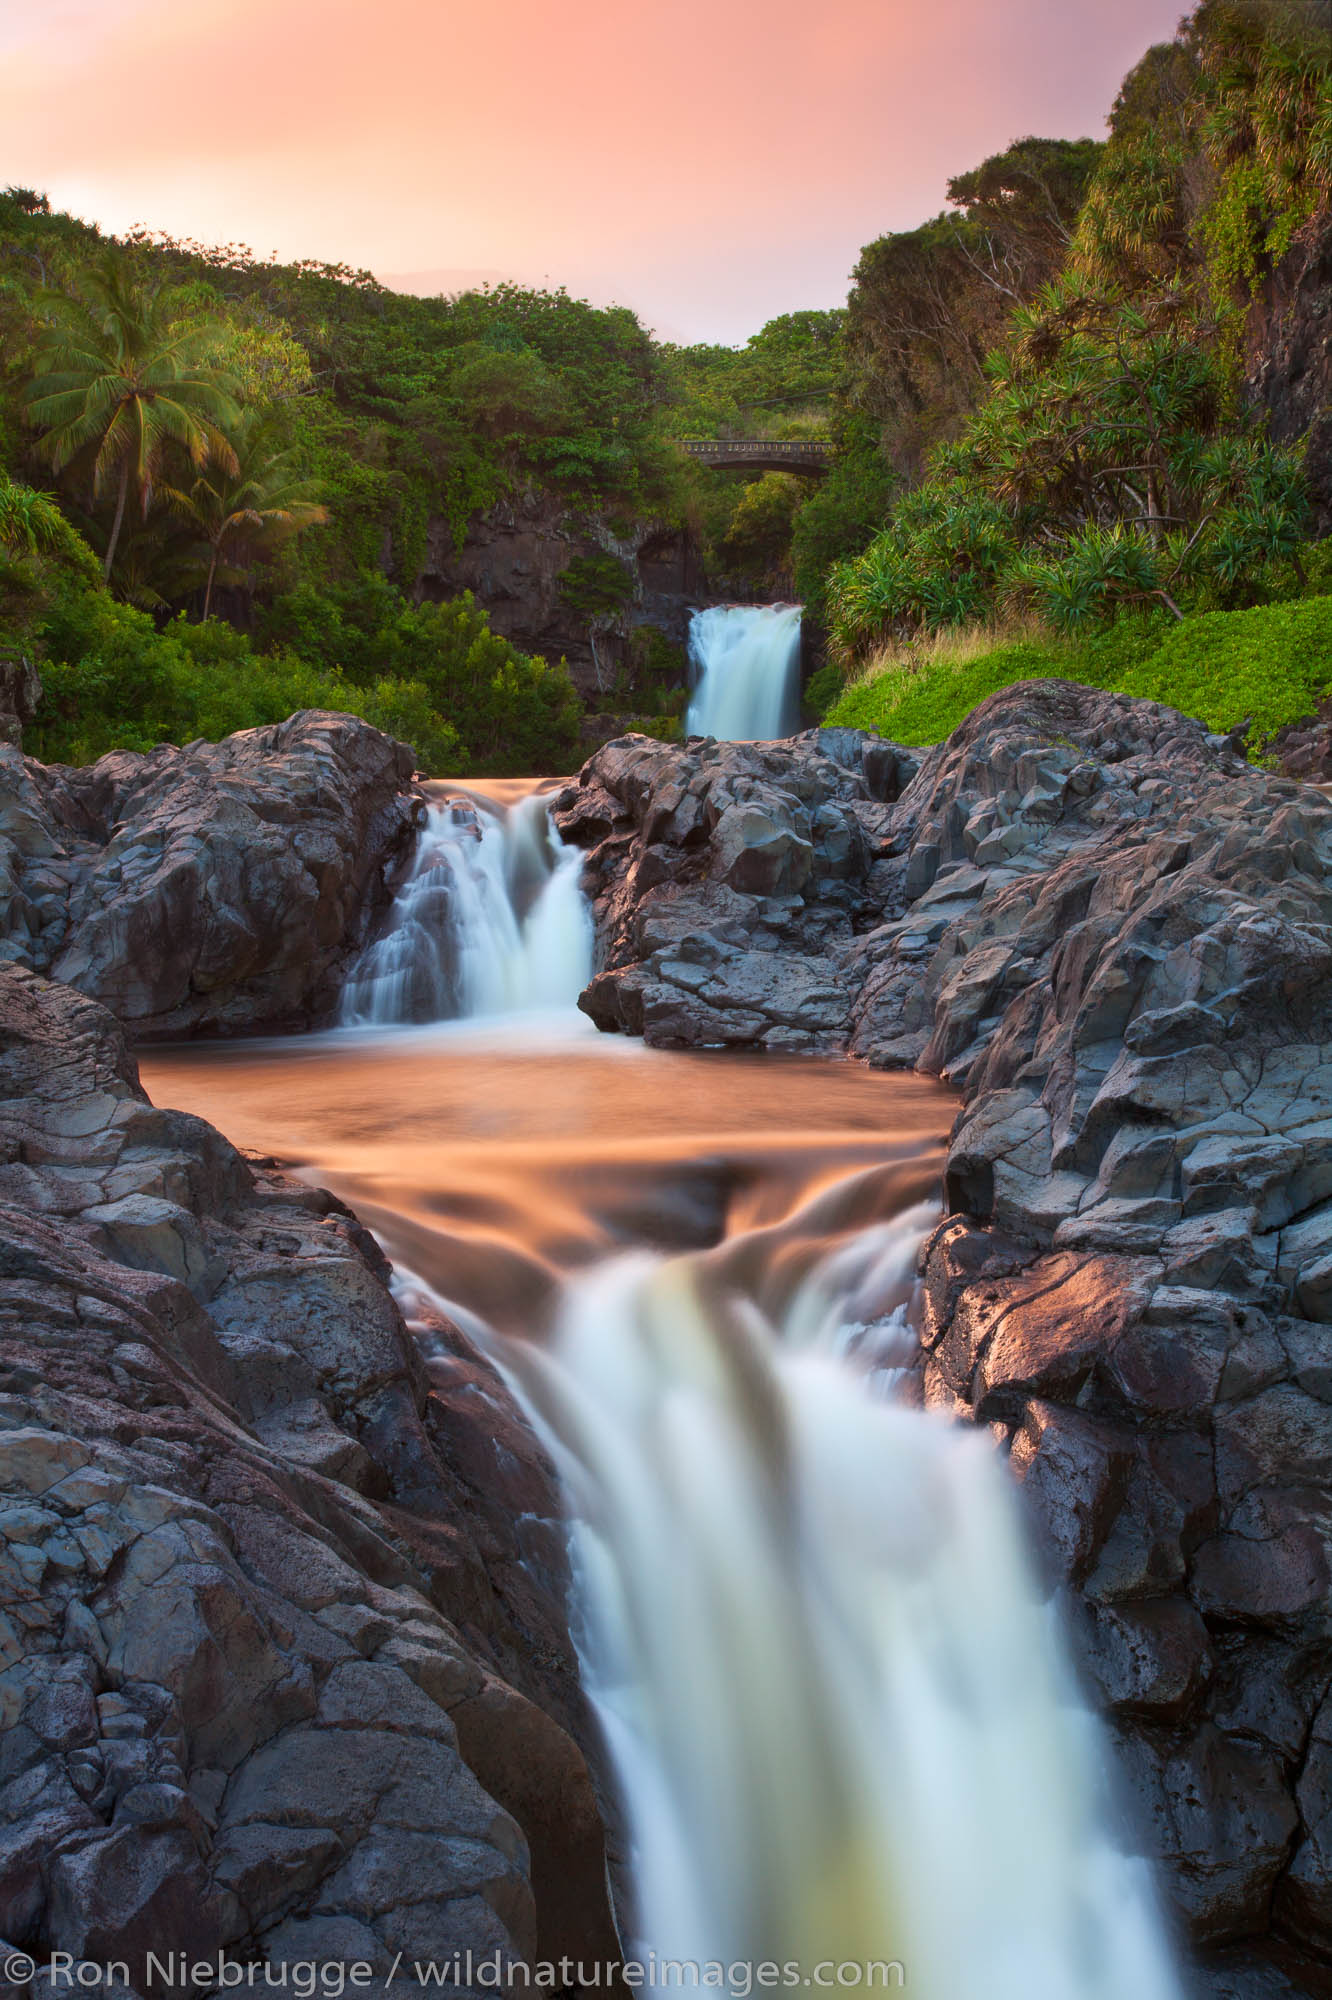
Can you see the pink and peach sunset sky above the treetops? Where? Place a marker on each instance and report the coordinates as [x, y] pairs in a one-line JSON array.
[[709, 163]]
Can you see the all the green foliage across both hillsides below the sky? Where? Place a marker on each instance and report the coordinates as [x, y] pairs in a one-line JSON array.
[[233, 485]]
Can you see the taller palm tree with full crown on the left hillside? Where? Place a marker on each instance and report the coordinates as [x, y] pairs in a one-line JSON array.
[[119, 379]]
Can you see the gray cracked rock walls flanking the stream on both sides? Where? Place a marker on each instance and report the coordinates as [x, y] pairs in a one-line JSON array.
[[1095, 919]]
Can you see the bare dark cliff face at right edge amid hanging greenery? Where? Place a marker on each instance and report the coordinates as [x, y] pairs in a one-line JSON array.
[[1289, 357]]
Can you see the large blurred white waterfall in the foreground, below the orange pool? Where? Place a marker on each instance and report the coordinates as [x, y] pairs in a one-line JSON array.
[[841, 1715]]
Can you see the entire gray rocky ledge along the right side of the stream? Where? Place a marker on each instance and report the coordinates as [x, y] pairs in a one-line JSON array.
[[1117, 939]]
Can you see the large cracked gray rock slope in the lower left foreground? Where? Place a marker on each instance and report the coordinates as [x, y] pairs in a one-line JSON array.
[[279, 1677]]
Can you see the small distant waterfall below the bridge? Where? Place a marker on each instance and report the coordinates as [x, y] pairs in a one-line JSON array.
[[749, 663]]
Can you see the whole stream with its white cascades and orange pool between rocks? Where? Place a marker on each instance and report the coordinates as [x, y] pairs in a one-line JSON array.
[[839, 1709]]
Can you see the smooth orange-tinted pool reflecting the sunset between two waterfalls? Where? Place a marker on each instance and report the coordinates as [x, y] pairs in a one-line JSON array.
[[497, 1169]]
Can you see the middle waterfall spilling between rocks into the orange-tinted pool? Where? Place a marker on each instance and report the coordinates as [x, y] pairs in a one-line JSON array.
[[489, 921]]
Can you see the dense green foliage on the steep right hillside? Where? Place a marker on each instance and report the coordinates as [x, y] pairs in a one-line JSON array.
[[1101, 455]]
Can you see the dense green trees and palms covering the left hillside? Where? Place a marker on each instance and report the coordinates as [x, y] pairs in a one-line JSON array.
[[269, 441]]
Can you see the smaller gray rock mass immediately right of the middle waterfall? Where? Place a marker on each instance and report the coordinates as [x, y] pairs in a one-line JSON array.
[[729, 883]]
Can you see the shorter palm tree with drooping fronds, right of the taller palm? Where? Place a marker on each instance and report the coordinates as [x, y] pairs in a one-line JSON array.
[[257, 499]]
